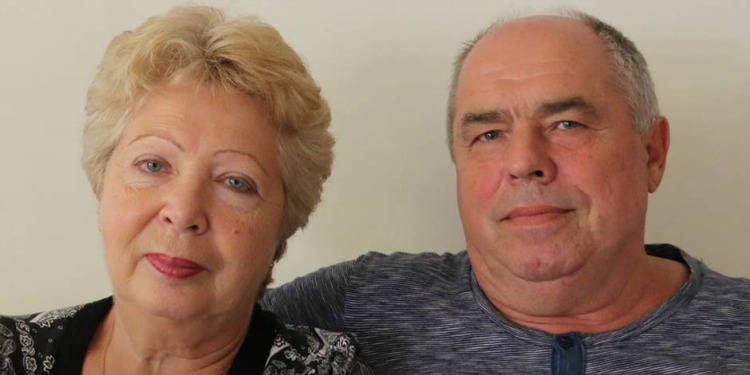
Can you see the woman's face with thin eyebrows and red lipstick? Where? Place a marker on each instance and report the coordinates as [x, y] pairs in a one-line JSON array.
[[191, 204]]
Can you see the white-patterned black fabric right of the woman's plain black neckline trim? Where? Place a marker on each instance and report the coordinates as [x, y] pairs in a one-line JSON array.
[[299, 349]]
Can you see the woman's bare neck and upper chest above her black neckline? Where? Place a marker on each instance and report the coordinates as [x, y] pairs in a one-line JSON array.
[[127, 342]]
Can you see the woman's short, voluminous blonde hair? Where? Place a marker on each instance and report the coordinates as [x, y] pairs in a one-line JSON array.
[[241, 55]]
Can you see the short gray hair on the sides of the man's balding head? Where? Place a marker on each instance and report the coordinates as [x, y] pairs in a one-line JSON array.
[[629, 64]]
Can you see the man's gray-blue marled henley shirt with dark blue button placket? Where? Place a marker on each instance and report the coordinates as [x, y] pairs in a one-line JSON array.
[[425, 314]]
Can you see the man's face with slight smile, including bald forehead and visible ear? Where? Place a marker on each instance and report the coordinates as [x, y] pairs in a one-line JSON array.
[[553, 179]]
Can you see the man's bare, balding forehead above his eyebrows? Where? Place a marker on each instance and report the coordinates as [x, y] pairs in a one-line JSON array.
[[535, 50]]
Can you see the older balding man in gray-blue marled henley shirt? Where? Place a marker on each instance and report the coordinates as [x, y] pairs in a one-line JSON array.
[[557, 140]]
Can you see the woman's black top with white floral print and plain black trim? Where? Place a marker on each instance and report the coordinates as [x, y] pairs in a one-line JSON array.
[[56, 342]]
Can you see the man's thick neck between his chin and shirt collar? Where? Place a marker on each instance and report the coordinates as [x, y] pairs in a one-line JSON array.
[[592, 302]]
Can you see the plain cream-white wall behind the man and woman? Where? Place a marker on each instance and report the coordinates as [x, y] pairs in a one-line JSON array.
[[384, 66]]
